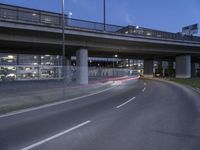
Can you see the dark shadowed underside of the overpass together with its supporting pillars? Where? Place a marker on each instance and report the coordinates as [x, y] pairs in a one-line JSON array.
[[186, 63]]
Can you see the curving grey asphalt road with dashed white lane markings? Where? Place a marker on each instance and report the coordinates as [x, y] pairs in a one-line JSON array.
[[135, 115]]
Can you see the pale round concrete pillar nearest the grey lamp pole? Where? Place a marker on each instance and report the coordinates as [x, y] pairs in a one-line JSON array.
[[82, 66]]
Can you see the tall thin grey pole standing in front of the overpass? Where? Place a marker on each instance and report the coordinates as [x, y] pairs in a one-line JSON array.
[[63, 37]]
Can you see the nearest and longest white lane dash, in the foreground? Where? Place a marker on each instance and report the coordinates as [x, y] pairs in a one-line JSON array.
[[55, 136]]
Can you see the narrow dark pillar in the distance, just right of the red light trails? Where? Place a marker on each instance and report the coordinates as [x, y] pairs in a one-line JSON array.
[[148, 68]]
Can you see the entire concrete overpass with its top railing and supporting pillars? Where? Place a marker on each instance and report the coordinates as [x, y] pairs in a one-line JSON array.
[[30, 31]]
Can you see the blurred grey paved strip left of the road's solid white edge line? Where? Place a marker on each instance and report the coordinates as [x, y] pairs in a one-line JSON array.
[[17, 96]]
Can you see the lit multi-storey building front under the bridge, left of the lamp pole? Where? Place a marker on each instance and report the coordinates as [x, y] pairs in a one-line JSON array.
[[29, 67]]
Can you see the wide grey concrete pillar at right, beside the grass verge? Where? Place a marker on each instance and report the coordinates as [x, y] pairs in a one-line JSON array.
[[183, 66]]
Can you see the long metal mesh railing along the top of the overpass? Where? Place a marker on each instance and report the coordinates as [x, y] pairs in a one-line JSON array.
[[33, 16]]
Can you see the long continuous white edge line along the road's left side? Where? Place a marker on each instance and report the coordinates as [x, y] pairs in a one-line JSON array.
[[56, 103]]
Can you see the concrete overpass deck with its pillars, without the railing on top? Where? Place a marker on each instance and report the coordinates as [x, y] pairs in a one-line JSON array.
[[81, 43]]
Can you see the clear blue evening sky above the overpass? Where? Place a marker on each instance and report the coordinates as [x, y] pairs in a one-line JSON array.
[[168, 15]]
